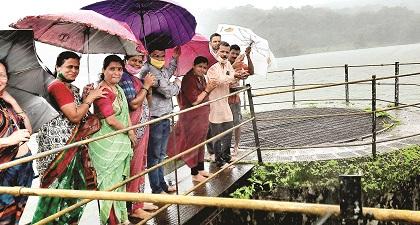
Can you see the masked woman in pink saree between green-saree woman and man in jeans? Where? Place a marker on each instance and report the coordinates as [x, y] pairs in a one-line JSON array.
[[137, 93]]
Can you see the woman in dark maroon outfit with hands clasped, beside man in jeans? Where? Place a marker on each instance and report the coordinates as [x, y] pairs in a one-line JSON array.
[[191, 128]]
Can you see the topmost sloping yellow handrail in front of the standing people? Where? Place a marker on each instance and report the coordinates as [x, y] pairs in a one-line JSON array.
[[83, 142]]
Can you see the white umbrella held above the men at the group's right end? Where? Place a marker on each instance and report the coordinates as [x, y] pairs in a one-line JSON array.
[[260, 52]]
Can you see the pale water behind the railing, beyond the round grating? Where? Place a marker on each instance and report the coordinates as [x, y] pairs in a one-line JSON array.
[[385, 89]]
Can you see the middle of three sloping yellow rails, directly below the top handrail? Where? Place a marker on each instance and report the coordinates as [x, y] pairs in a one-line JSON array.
[[85, 201]]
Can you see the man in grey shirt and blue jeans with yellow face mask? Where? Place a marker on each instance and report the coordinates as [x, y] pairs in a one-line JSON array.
[[163, 91]]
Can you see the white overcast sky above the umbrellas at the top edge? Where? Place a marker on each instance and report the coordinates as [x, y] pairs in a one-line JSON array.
[[16, 9]]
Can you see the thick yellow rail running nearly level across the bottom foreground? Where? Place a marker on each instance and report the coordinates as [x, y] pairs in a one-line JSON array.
[[265, 205]]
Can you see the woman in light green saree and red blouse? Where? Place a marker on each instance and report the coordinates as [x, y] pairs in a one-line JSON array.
[[111, 156]]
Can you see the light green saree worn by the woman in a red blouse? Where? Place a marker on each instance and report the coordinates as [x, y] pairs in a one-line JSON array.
[[111, 159]]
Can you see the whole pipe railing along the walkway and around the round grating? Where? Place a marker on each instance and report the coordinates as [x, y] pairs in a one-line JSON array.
[[384, 214]]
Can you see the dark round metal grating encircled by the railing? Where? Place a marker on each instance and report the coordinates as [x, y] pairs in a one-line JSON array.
[[308, 131]]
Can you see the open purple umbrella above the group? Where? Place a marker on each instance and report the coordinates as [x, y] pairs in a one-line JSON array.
[[154, 22]]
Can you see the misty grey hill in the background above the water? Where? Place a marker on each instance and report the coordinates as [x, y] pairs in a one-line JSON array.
[[297, 31]]
